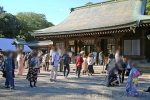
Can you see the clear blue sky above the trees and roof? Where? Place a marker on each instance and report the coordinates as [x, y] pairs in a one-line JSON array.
[[55, 10]]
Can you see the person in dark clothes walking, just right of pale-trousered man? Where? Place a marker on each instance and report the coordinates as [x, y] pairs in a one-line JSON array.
[[66, 64]]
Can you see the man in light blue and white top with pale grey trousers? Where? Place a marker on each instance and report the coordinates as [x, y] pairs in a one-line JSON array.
[[55, 60]]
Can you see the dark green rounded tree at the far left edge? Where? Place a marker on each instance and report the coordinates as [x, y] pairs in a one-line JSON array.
[[9, 25]]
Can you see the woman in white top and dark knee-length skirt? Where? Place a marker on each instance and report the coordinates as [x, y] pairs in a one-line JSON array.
[[90, 61]]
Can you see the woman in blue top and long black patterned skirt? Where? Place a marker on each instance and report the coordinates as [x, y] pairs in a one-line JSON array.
[[34, 65]]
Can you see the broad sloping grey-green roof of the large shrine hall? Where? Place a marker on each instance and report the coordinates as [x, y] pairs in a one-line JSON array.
[[100, 16]]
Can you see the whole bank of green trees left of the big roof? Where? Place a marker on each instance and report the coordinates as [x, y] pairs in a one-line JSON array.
[[21, 25]]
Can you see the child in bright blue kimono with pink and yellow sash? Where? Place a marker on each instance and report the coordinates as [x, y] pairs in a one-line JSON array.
[[132, 81]]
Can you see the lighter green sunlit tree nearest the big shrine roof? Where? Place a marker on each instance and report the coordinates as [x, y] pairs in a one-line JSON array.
[[31, 21]]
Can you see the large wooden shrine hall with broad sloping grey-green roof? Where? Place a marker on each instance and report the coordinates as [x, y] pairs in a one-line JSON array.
[[110, 25]]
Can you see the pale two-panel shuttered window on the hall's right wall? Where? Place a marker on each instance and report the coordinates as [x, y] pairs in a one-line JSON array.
[[132, 47]]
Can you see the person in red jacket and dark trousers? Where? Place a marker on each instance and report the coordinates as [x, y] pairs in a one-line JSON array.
[[79, 61]]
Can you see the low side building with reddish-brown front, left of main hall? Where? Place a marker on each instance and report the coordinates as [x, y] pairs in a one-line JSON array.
[[41, 45]]
